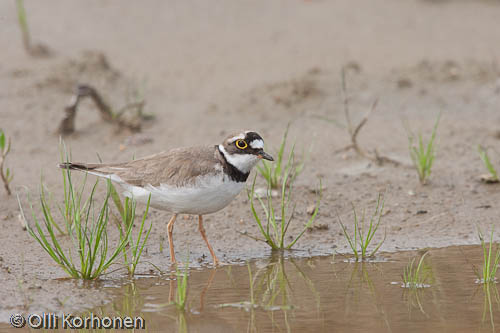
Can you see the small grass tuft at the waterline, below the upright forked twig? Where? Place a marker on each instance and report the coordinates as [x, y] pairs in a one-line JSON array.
[[361, 238]]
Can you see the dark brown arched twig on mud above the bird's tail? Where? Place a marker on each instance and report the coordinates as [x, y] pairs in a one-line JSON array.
[[67, 125]]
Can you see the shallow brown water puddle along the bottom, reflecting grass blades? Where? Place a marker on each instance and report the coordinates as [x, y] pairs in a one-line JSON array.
[[322, 294]]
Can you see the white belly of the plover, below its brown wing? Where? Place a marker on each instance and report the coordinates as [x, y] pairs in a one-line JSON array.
[[208, 195]]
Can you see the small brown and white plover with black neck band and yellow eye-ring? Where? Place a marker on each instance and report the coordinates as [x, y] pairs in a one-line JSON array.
[[197, 180]]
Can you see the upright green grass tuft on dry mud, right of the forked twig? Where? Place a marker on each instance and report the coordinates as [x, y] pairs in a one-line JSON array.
[[423, 155]]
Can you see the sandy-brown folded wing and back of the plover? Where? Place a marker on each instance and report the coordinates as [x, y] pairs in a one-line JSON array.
[[177, 167]]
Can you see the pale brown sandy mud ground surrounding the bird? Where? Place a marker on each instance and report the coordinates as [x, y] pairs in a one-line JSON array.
[[208, 70]]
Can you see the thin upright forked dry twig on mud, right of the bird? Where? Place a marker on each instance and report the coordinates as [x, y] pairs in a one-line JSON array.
[[354, 131]]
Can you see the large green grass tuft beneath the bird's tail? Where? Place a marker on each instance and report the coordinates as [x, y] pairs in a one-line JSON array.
[[91, 255]]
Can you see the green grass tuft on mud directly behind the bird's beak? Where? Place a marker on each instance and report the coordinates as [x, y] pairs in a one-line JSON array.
[[274, 172]]
